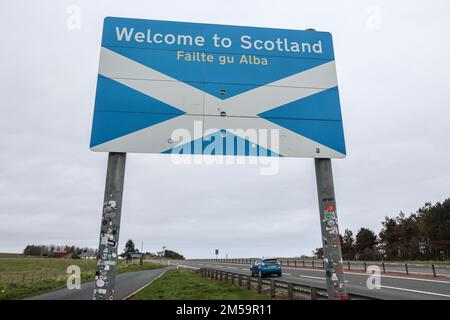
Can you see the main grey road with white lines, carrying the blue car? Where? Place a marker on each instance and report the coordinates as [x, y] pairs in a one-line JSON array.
[[392, 287]]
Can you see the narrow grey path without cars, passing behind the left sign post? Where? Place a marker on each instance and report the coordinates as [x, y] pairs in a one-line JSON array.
[[126, 284]]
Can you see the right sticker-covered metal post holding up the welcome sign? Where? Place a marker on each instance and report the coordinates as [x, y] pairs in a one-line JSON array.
[[330, 230]]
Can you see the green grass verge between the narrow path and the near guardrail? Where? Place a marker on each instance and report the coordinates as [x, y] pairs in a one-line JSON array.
[[186, 285]]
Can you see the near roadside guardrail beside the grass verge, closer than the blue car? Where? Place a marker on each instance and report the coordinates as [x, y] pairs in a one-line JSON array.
[[276, 288]]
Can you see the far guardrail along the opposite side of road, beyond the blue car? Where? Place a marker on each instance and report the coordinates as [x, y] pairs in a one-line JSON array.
[[385, 267]]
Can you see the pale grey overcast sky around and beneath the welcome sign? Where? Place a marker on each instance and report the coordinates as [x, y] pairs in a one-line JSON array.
[[393, 70]]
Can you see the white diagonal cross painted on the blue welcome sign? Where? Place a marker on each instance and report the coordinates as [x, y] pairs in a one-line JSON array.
[[197, 103]]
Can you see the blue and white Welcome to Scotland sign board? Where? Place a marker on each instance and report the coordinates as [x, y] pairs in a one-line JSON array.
[[190, 88]]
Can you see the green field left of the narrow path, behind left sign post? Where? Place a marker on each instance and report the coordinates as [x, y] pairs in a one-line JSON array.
[[25, 276]]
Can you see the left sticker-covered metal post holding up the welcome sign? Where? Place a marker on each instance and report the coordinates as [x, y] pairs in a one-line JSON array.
[[107, 258]]
